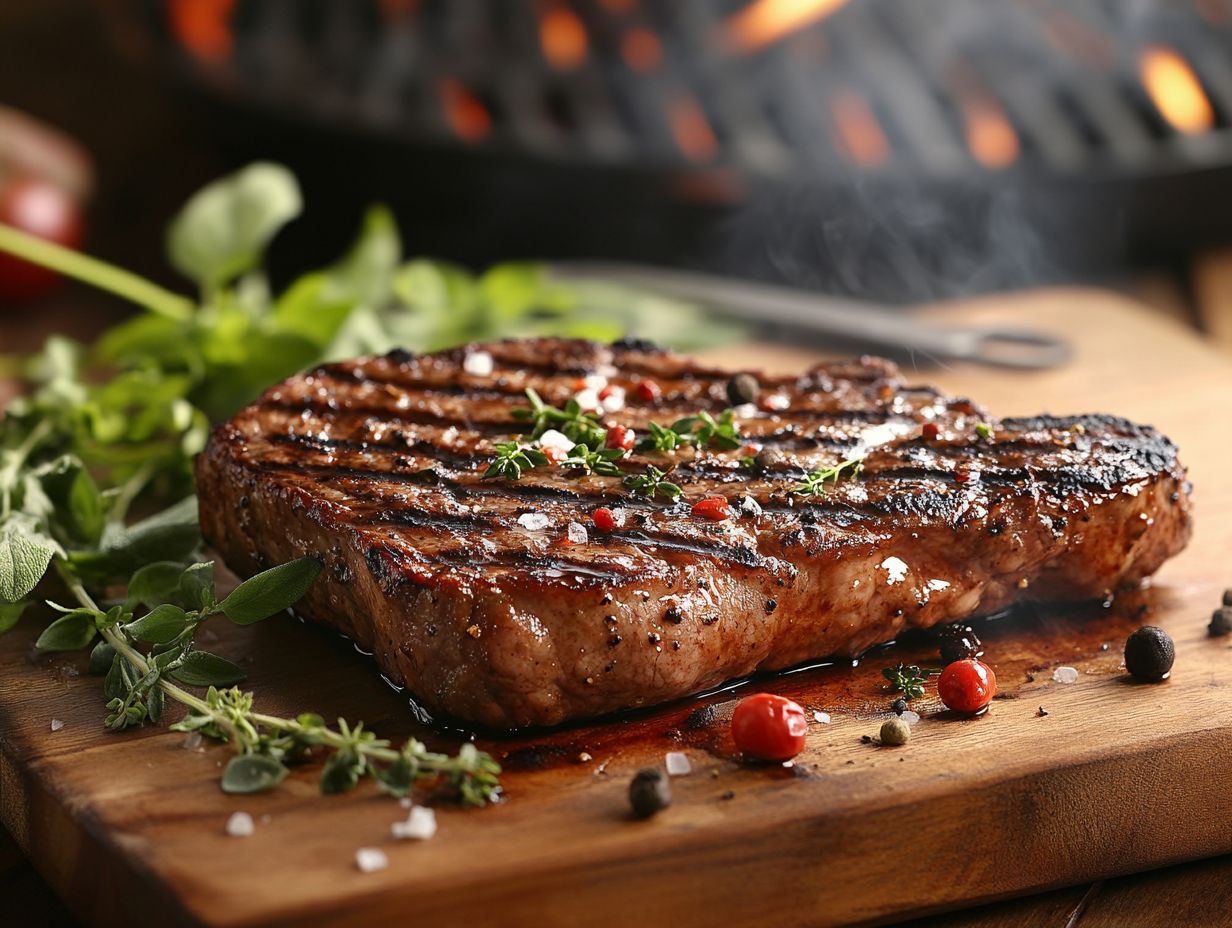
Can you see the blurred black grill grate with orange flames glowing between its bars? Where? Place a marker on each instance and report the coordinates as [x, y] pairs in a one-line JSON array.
[[942, 87]]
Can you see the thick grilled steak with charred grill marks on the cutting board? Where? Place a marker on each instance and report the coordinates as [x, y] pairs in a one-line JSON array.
[[481, 598]]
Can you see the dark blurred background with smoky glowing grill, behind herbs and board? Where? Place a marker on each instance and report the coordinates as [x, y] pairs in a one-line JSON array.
[[894, 152]]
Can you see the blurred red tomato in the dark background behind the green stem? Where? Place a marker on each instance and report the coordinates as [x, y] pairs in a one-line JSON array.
[[41, 209]]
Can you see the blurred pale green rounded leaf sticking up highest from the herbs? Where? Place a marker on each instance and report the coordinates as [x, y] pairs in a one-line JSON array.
[[224, 230]]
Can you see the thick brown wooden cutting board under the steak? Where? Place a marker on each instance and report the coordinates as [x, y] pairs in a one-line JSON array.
[[1118, 777]]
